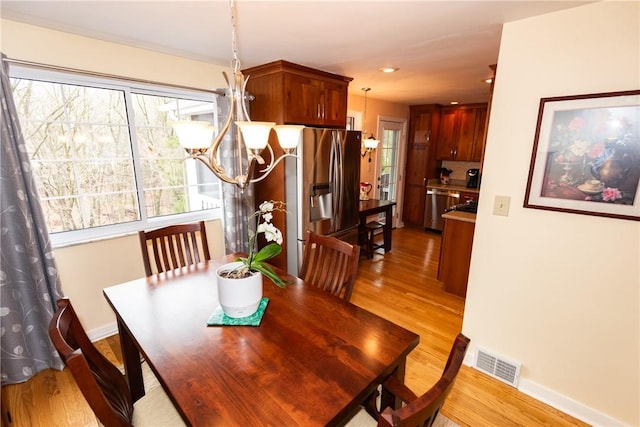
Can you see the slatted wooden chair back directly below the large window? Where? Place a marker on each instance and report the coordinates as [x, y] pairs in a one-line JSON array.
[[173, 247]]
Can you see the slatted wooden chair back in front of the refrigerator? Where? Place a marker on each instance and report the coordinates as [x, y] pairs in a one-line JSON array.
[[330, 264]]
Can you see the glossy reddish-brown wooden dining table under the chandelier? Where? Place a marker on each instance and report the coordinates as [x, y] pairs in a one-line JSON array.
[[312, 360]]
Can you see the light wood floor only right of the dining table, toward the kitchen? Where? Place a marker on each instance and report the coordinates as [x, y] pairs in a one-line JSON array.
[[402, 286]]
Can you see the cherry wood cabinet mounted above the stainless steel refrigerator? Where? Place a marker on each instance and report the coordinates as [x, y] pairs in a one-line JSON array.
[[289, 93]]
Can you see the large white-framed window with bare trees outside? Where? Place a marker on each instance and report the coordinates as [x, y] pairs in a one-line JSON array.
[[105, 157]]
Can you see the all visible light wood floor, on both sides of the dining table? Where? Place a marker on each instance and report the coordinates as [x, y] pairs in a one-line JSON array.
[[400, 286]]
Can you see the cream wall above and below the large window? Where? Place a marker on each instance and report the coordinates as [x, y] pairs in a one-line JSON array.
[[88, 268]]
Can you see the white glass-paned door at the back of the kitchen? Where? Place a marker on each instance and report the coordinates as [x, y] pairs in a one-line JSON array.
[[389, 153]]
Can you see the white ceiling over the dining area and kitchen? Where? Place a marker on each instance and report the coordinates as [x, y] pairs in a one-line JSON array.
[[443, 49]]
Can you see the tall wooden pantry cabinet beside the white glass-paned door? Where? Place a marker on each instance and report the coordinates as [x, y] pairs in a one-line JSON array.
[[421, 160]]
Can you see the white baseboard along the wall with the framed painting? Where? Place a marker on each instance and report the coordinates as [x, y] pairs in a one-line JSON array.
[[559, 401]]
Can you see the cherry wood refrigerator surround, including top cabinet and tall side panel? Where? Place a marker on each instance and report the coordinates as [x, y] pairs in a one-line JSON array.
[[288, 93]]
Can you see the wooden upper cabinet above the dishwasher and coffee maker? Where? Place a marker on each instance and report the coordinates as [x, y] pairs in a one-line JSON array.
[[461, 135]]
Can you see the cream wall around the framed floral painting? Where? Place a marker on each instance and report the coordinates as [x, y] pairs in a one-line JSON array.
[[558, 291]]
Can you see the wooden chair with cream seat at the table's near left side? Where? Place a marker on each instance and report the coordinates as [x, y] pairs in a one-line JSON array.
[[101, 382]]
